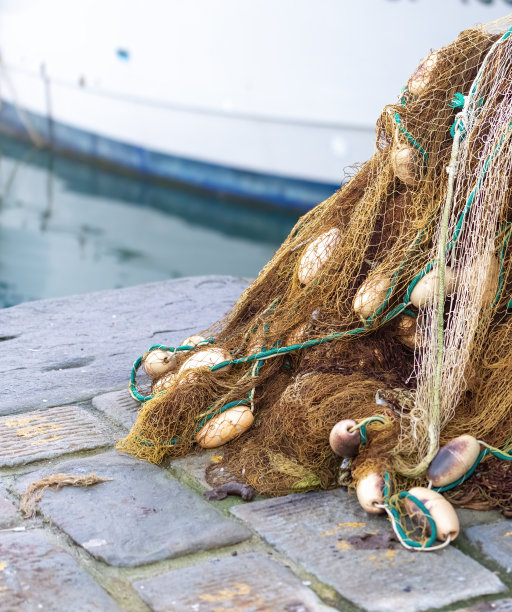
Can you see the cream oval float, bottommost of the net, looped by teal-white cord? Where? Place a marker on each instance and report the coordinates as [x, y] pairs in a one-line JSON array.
[[440, 509]]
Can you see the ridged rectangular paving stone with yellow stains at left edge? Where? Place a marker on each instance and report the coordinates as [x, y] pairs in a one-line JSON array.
[[42, 434]]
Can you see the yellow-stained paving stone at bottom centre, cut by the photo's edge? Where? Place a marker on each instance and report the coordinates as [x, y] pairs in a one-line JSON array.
[[250, 582]]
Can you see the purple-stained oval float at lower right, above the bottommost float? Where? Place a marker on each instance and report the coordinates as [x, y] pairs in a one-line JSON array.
[[453, 460]]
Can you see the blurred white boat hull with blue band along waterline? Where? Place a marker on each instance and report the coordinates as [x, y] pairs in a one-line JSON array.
[[270, 101]]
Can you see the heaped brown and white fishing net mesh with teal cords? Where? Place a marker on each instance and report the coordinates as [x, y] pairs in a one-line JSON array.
[[340, 292]]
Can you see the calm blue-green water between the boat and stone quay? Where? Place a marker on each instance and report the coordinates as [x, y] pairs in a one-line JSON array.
[[67, 228]]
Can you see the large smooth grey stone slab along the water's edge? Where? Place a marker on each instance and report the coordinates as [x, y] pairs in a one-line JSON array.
[[62, 351]]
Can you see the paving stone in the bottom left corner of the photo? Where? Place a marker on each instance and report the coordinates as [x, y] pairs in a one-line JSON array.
[[35, 575]]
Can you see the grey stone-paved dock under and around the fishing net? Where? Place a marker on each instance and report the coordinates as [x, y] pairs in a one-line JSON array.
[[146, 539]]
